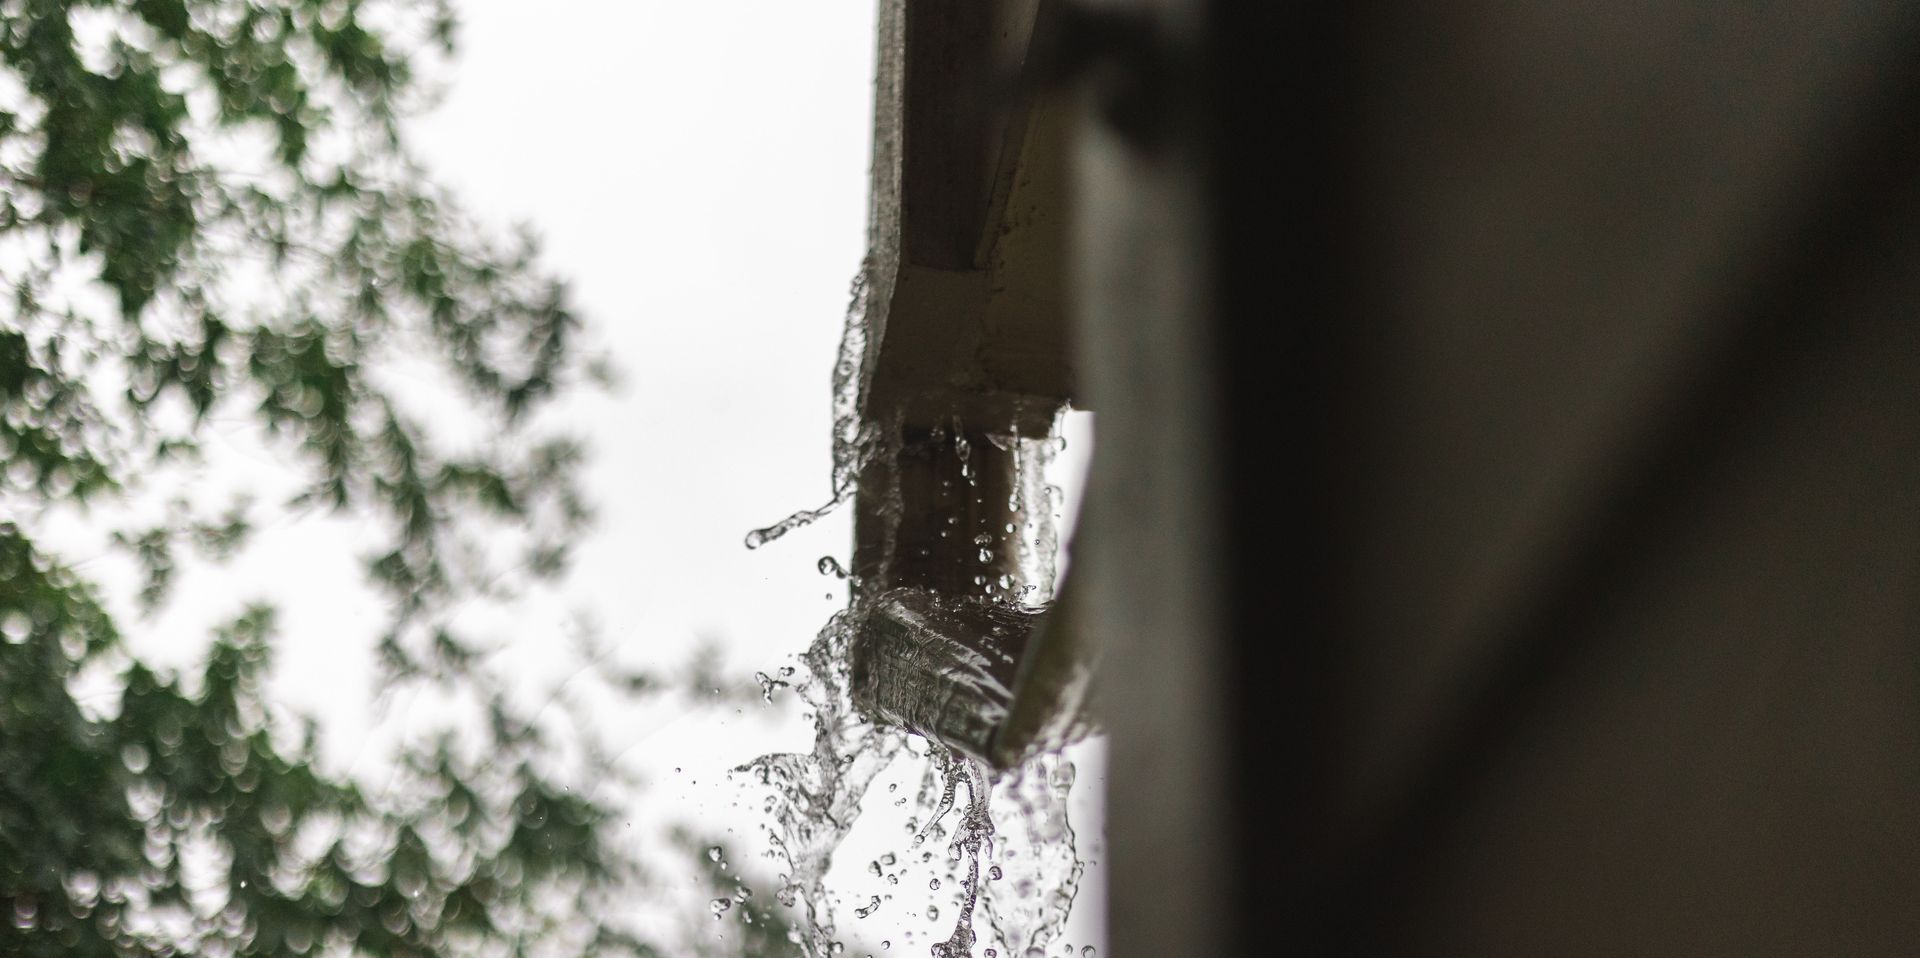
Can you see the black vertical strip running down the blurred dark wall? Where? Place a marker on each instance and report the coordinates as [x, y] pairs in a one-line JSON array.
[[1270, 91]]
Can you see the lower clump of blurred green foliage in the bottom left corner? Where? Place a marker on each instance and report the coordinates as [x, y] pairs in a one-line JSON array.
[[187, 825]]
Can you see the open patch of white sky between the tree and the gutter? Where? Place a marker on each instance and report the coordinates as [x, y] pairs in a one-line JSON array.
[[700, 174]]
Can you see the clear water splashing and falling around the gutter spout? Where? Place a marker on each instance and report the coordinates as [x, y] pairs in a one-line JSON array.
[[1011, 848]]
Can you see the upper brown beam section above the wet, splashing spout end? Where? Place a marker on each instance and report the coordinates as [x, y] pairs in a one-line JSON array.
[[967, 291]]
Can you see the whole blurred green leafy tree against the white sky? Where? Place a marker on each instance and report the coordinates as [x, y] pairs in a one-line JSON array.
[[208, 210]]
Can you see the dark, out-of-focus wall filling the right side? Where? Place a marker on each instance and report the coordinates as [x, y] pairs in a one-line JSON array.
[[1506, 512]]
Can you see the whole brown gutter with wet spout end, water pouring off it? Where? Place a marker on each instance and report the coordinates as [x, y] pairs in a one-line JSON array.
[[965, 377]]
